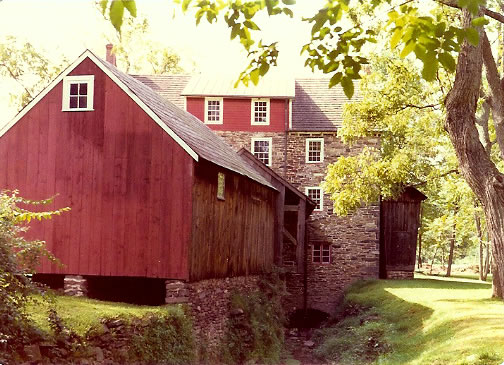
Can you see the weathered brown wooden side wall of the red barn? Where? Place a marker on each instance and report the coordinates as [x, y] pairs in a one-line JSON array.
[[234, 236]]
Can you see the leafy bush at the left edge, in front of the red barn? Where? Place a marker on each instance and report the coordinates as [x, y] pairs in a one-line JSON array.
[[18, 257]]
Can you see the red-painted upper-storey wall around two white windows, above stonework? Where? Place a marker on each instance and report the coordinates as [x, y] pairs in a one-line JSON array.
[[237, 115]]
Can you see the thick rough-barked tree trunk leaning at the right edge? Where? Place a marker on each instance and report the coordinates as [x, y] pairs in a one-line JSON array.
[[479, 171]]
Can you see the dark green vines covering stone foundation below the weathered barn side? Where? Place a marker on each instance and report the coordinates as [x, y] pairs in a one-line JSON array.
[[256, 329]]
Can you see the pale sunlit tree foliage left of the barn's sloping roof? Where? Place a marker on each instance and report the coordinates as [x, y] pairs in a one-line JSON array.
[[20, 62]]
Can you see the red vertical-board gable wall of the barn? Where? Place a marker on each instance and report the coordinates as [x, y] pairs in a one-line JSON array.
[[129, 185]]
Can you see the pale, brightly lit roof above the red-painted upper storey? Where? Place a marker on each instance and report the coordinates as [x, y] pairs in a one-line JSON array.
[[224, 86]]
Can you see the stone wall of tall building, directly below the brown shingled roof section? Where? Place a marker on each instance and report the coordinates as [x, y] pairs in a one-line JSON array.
[[354, 240]]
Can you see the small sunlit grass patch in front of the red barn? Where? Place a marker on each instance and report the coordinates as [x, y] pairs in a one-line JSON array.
[[80, 314]]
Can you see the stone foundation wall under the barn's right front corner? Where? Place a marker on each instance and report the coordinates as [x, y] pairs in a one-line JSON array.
[[209, 301]]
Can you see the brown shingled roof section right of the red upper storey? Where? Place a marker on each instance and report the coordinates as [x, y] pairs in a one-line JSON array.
[[317, 107]]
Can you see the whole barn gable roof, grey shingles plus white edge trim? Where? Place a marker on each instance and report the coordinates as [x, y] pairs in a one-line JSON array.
[[188, 131]]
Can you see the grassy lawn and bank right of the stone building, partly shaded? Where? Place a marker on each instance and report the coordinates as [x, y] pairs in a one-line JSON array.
[[429, 320]]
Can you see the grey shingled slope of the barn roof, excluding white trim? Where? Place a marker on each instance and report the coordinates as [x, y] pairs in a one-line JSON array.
[[190, 129]]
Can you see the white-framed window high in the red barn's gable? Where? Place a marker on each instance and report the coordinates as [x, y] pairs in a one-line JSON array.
[[78, 93]]
